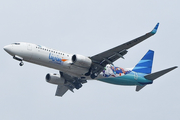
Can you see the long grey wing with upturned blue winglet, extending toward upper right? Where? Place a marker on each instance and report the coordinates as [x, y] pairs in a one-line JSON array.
[[108, 57]]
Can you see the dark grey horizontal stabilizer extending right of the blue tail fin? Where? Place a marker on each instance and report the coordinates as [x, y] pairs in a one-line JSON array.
[[155, 75]]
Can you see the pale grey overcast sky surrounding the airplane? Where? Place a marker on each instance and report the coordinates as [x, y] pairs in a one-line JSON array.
[[89, 27]]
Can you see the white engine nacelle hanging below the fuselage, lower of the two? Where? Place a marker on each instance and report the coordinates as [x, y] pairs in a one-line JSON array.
[[55, 79]]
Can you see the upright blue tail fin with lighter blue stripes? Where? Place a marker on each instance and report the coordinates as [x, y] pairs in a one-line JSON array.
[[145, 64]]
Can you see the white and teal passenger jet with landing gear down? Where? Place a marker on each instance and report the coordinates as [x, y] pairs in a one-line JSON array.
[[75, 70]]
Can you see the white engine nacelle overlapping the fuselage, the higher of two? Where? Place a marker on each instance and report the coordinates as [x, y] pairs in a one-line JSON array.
[[81, 61]]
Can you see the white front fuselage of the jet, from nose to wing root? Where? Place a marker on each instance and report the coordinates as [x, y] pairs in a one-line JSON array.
[[44, 56]]
